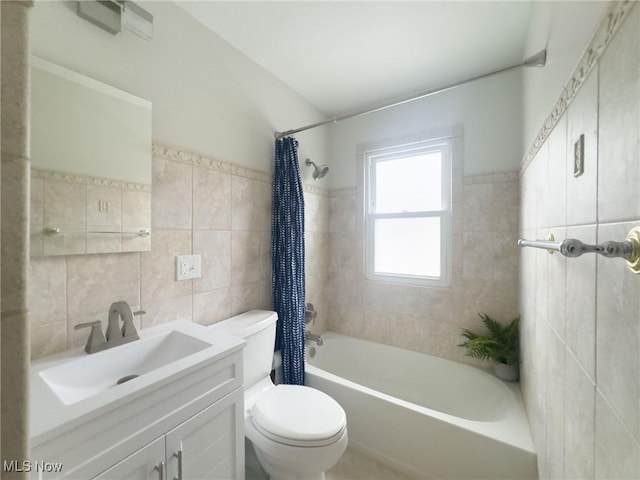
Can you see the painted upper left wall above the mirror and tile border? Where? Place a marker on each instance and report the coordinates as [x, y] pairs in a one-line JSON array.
[[206, 96]]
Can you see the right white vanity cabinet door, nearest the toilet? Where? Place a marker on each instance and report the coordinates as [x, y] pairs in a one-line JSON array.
[[210, 445]]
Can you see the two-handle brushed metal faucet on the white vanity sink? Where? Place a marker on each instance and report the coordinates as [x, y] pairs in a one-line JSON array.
[[116, 335]]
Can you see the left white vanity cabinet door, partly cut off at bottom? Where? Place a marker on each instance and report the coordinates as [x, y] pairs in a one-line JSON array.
[[145, 464]]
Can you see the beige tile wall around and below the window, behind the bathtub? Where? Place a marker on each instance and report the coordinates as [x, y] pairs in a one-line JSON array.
[[484, 277]]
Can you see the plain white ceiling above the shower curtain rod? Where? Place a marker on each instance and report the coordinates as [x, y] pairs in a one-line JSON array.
[[344, 56]]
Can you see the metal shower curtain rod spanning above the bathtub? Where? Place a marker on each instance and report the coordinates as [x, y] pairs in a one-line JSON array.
[[537, 60]]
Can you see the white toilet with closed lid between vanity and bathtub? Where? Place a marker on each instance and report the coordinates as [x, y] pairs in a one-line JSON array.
[[297, 432]]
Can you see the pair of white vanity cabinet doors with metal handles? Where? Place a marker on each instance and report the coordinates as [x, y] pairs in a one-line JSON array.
[[203, 447]]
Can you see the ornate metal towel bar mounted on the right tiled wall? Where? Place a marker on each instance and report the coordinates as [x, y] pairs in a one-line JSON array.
[[629, 249]]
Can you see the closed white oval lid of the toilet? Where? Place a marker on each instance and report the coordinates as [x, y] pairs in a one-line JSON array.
[[298, 413]]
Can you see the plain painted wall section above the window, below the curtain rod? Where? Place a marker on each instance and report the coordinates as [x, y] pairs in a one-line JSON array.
[[489, 109]]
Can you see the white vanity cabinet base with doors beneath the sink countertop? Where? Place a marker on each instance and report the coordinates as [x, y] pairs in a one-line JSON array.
[[193, 420]]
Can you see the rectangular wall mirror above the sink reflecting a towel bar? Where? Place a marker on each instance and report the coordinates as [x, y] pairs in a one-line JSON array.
[[90, 165]]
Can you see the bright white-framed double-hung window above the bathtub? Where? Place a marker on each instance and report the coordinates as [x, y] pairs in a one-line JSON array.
[[407, 213]]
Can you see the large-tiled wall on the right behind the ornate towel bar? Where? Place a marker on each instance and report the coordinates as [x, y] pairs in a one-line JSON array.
[[581, 320]]
